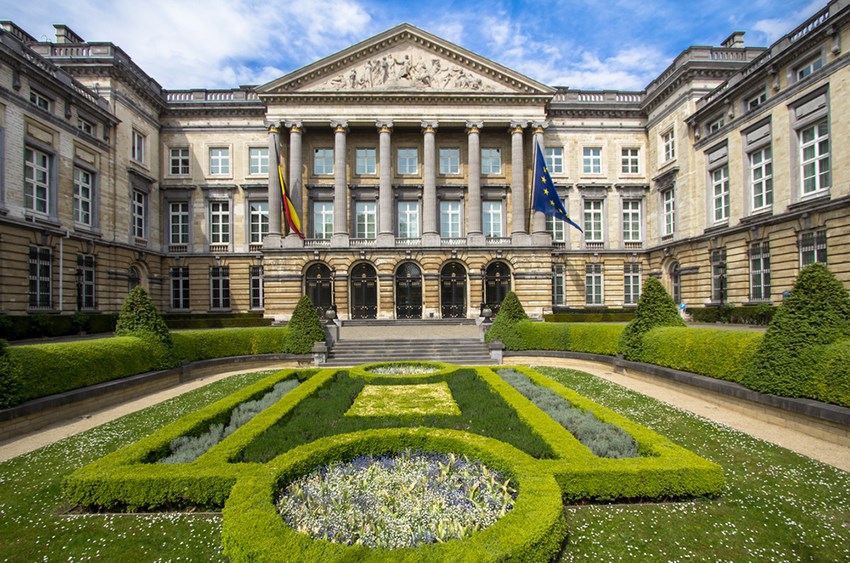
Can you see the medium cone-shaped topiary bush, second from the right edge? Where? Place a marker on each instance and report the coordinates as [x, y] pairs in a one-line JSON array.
[[655, 308]]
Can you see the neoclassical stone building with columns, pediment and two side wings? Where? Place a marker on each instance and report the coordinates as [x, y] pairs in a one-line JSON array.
[[409, 160]]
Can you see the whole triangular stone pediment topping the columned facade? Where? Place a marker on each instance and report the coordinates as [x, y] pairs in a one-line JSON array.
[[405, 60]]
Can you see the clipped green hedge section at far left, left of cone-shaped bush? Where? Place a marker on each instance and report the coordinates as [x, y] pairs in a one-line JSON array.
[[47, 369]]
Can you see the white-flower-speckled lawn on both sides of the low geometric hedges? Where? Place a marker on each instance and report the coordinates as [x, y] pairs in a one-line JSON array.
[[778, 505]]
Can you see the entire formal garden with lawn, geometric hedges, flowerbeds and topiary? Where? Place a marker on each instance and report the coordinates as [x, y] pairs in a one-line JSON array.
[[426, 461]]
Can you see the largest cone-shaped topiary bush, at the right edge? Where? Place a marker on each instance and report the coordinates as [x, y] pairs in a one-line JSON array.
[[817, 313]]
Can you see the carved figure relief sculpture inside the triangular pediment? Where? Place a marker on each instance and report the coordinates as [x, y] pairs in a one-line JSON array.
[[407, 70]]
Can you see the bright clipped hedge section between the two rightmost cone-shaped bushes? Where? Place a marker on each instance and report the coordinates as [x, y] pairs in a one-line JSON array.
[[718, 353]]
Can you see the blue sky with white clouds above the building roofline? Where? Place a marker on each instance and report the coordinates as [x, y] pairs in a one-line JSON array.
[[584, 44]]
